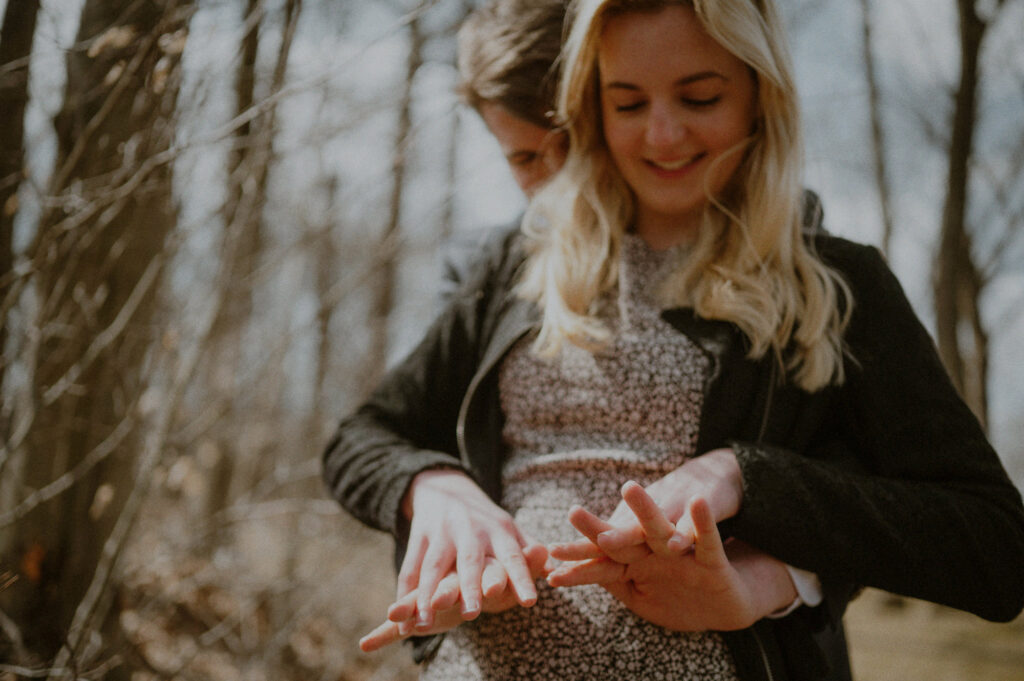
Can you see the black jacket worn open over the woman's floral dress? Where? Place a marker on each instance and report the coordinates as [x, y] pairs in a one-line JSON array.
[[887, 481]]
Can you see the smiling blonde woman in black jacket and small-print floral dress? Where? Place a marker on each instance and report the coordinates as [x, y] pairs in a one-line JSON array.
[[755, 410]]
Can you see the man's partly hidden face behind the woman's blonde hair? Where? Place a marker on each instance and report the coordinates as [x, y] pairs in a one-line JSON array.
[[534, 154]]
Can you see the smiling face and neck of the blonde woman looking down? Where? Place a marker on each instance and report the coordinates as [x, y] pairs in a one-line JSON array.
[[672, 102]]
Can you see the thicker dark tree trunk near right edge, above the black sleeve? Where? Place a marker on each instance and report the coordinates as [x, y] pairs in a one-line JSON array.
[[957, 281]]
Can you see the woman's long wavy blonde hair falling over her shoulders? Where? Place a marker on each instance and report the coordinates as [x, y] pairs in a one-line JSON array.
[[751, 264]]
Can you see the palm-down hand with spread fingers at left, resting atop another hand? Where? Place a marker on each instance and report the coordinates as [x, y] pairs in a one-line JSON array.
[[456, 528]]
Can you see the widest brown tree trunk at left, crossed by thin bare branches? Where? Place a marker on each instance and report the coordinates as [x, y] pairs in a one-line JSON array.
[[98, 263]]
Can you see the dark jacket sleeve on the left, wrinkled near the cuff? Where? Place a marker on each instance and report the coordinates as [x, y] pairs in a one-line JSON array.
[[408, 424]]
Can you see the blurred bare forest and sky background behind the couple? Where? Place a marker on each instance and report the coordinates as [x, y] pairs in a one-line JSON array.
[[221, 221]]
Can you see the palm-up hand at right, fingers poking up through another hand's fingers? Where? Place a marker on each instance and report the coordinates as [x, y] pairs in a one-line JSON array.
[[713, 587]]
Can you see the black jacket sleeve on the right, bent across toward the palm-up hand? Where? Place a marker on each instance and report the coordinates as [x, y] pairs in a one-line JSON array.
[[930, 512]]
